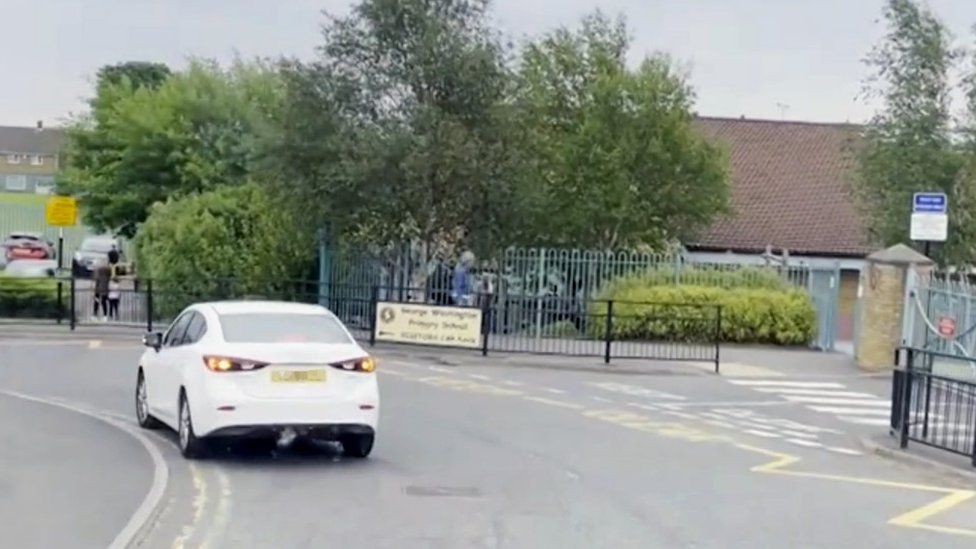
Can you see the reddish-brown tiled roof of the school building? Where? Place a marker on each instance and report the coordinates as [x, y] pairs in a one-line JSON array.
[[790, 186]]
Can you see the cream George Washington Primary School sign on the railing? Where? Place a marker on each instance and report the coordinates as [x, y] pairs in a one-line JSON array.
[[428, 325]]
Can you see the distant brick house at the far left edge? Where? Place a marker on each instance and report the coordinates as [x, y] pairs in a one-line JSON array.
[[29, 158]]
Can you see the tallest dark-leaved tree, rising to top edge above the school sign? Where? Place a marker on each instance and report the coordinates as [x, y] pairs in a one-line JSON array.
[[399, 131]]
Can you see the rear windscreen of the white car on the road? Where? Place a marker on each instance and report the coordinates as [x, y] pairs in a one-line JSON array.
[[282, 328]]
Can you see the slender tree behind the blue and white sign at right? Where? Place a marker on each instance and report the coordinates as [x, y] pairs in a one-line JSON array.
[[907, 146]]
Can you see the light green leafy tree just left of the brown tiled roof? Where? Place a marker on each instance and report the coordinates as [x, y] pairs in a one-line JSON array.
[[615, 160]]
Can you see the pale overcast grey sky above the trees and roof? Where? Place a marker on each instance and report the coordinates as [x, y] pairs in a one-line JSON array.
[[773, 59]]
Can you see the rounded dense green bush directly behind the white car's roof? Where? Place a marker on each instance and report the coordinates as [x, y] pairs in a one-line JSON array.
[[190, 244]]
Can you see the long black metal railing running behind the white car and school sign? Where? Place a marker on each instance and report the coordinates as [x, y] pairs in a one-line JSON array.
[[542, 325]]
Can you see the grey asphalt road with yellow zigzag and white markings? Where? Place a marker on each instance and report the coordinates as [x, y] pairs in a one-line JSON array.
[[477, 455]]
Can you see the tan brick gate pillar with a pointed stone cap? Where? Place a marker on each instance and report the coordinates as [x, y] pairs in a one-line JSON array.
[[882, 288]]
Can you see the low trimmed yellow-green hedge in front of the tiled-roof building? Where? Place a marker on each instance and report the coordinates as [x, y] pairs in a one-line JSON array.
[[656, 313]]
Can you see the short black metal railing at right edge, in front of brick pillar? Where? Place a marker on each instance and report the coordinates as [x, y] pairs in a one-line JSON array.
[[931, 408]]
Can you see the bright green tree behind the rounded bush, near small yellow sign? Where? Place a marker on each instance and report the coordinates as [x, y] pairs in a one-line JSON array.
[[148, 137]]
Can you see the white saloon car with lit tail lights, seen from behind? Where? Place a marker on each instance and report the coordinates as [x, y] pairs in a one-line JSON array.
[[258, 369]]
